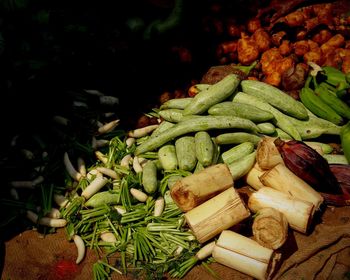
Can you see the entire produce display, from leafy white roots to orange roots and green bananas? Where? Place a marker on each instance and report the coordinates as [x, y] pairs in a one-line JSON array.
[[221, 175]]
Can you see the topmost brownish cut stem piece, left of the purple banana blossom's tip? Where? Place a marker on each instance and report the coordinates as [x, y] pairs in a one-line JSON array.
[[267, 154]]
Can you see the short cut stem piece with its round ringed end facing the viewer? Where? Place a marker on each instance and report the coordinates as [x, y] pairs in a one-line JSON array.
[[270, 228]]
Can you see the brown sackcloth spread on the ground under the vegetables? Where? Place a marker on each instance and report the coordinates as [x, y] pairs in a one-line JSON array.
[[323, 254]]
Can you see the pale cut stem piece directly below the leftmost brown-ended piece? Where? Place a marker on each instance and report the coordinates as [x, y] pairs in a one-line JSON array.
[[217, 214]]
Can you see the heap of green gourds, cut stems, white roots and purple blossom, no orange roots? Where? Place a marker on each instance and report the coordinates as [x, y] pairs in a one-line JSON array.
[[160, 199]]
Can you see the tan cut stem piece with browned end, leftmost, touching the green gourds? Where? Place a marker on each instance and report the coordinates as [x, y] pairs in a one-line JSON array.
[[195, 189]]
